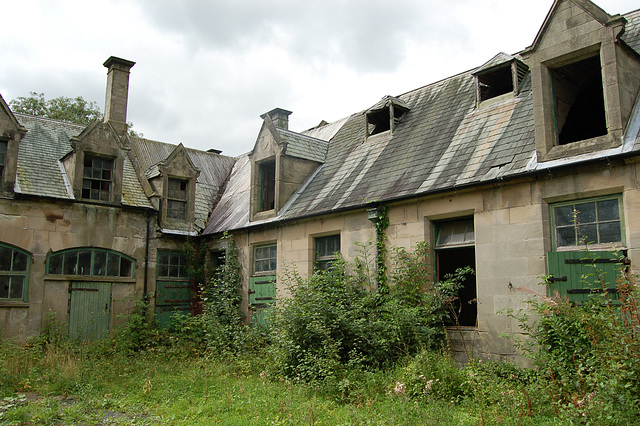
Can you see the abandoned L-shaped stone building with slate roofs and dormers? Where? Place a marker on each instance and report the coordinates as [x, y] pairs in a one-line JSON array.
[[488, 166]]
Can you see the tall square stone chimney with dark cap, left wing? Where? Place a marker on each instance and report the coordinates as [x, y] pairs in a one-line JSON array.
[[115, 109]]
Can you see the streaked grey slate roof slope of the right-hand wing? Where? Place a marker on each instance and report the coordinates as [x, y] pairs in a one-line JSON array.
[[444, 142]]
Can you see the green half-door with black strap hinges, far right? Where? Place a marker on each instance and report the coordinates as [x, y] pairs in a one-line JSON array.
[[577, 274]]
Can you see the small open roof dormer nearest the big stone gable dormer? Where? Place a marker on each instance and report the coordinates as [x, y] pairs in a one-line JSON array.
[[497, 77]]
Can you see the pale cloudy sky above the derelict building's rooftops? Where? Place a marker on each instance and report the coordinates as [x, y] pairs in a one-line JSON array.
[[206, 69]]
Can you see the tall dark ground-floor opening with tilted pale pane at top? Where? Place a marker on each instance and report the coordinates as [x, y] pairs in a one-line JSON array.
[[455, 248]]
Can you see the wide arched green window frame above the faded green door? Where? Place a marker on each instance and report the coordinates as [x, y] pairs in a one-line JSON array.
[[94, 252]]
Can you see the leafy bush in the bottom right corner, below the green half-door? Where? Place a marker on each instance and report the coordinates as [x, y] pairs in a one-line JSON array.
[[589, 352]]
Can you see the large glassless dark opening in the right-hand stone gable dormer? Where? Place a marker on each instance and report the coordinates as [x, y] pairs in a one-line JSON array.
[[578, 101]]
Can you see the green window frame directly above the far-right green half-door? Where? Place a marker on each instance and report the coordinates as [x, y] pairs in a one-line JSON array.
[[591, 245]]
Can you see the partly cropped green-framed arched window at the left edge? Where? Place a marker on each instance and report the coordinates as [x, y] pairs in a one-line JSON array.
[[14, 273]]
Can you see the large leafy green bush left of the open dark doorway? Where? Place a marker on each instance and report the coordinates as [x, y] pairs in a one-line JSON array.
[[335, 320]]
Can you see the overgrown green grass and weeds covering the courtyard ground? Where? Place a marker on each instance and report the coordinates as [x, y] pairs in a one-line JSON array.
[[73, 384]]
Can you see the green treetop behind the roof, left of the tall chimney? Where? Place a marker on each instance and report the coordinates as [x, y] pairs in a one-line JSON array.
[[75, 110]]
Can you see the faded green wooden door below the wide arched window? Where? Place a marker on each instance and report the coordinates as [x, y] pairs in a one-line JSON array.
[[89, 310]]
